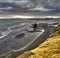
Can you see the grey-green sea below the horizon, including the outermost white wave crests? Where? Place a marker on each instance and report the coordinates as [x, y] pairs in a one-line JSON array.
[[8, 24]]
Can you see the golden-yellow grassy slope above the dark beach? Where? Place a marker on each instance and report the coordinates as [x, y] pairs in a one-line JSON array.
[[49, 49]]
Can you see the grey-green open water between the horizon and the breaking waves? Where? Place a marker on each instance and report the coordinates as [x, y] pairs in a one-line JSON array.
[[5, 23]]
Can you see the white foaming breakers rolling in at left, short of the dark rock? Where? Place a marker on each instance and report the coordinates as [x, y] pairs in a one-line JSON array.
[[12, 28]]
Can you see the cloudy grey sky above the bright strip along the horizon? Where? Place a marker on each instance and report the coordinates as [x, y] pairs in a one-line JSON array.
[[35, 7]]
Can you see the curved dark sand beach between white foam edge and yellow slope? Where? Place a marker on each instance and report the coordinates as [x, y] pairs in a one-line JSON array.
[[38, 40]]
